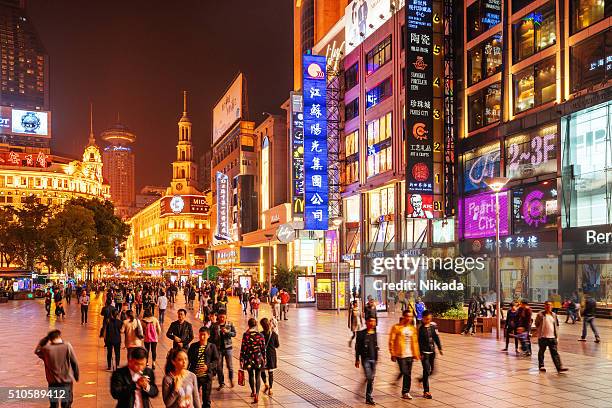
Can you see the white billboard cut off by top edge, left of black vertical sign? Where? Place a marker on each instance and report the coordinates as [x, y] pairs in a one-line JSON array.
[[362, 18]]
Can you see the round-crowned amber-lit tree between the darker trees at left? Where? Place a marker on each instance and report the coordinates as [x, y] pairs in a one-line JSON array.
[[70, 231]]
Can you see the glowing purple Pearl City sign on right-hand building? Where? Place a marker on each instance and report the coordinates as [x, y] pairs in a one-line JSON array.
[[479, 215]]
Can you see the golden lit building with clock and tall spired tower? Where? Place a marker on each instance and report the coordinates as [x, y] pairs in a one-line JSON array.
[[172, 233]]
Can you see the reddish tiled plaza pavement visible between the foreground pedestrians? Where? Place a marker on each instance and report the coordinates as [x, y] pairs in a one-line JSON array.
[[316, 366]]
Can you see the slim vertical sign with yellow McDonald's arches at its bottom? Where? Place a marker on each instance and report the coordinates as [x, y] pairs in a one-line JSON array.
[[297, 152]]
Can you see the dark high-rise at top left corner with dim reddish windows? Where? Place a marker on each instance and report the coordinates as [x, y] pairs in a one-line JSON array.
[[24, 61]]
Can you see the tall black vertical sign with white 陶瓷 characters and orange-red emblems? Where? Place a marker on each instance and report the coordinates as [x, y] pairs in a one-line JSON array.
[[419, 97]]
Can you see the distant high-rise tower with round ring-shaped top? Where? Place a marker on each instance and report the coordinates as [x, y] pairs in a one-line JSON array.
[[119, 167]]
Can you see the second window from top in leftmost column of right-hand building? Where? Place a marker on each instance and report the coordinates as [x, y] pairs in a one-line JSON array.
[[485, 59]]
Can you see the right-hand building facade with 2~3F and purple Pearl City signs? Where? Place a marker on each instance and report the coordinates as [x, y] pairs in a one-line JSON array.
[[535, 107]]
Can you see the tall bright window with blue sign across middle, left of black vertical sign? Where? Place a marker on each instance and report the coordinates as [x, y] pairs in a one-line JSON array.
[[379, 145]]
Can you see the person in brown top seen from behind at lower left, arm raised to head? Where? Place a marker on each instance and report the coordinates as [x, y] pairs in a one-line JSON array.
[[61, 366]]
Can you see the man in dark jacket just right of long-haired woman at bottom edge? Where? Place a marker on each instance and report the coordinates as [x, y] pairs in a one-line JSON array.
[[203, 362]]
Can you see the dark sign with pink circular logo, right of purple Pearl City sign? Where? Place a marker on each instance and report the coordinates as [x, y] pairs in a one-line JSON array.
[[534, 207]]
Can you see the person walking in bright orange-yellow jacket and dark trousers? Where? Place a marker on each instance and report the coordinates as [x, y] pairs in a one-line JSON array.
[[404, 349]]
